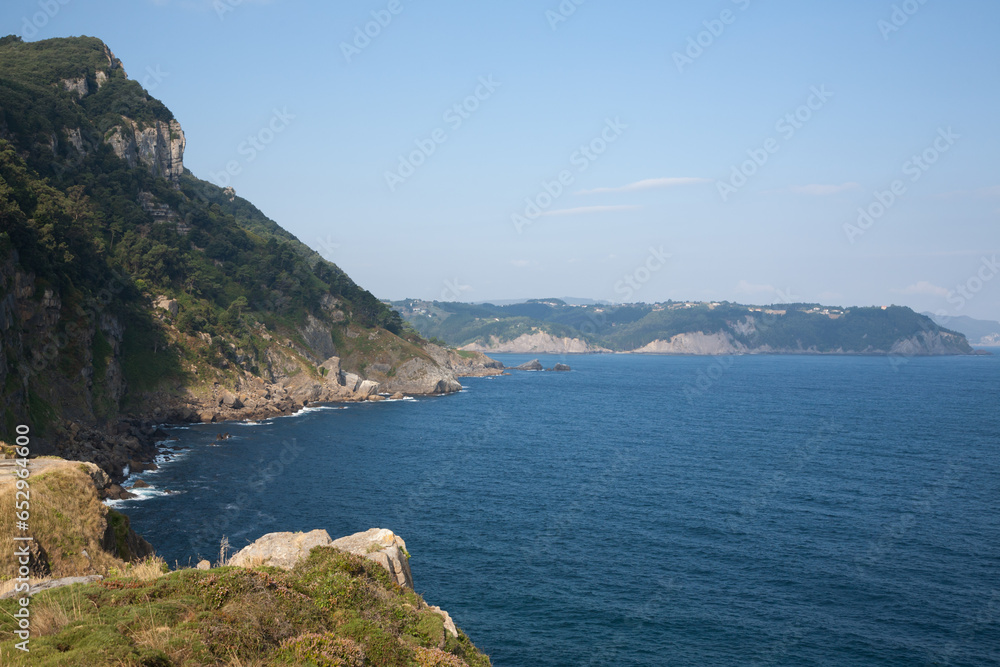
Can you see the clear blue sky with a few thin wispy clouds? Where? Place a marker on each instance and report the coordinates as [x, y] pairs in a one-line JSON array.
[[759, 152]]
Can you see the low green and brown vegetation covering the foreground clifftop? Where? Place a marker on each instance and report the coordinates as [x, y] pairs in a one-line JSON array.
[[332, 609]]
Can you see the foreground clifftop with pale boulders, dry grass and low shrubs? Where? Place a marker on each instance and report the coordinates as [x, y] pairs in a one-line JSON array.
[[288, 599]]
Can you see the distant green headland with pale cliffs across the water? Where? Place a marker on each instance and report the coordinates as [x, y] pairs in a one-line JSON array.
[[551, 325]]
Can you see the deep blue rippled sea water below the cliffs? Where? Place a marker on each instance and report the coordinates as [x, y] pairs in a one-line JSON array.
[[648, 510]]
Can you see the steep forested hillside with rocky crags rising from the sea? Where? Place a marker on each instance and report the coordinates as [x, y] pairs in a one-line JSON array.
[[130, 290]]
